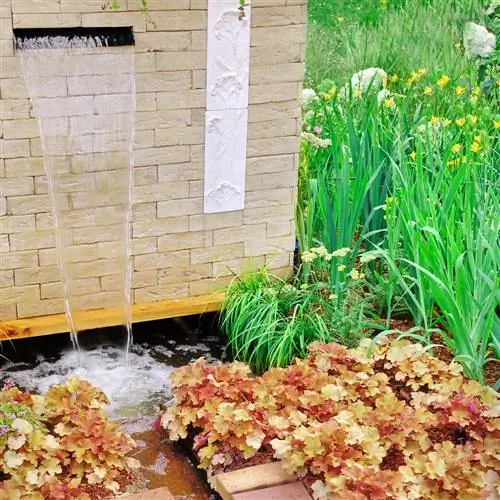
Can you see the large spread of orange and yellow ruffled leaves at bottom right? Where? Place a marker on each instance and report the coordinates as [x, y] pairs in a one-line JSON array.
[[397, 423]]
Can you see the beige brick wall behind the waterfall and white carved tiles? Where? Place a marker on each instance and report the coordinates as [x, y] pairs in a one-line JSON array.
[[177, 250]]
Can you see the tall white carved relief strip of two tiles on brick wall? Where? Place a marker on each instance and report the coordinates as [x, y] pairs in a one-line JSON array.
[[228, 67]]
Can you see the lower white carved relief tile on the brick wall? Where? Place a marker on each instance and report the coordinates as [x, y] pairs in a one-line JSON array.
[[225, 160]]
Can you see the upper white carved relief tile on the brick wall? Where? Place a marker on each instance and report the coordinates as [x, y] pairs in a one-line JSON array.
[[228, 55]]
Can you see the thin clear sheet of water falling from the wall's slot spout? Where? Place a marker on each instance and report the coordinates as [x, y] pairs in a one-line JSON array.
[[83, 95]]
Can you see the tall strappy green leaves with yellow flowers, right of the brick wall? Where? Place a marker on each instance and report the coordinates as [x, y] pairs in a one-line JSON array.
[[419, 162]]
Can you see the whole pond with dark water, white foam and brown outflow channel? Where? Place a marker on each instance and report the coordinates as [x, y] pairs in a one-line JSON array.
[[137, 392]]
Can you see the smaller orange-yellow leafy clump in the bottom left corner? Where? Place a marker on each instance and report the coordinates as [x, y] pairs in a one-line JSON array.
[[60, 445]]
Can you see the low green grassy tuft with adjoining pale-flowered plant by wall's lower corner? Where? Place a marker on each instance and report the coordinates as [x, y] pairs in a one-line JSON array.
[[269, 321]]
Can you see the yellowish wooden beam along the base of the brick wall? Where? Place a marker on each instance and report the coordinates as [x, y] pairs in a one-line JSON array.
[[99, 318]]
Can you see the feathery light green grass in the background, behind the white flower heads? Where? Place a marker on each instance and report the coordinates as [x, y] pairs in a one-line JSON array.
[[396, 36]]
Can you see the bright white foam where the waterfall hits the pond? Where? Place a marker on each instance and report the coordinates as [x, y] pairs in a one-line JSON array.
[[135, 391]]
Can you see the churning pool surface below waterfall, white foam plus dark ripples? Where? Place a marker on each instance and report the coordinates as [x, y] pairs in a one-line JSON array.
[[136, 392]]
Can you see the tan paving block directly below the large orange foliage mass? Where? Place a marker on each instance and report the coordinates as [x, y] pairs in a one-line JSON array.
[[257, 477]]
